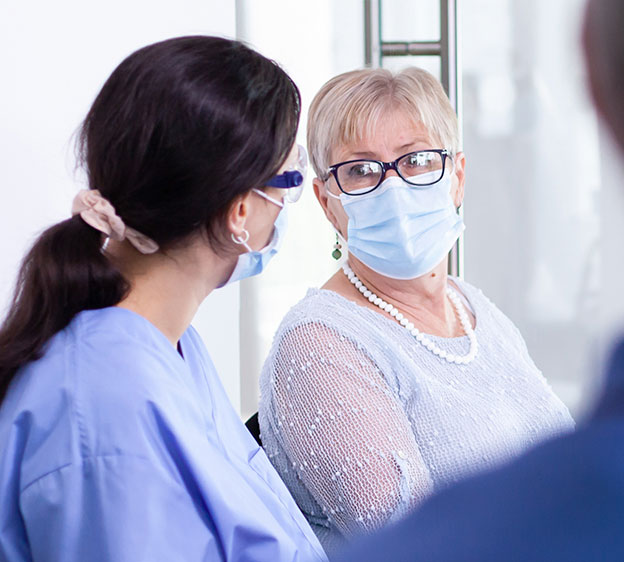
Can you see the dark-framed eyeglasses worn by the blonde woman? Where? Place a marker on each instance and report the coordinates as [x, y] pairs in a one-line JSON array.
[[420, 169]]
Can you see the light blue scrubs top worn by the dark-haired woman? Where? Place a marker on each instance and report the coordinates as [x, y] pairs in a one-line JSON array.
[[115, 447]]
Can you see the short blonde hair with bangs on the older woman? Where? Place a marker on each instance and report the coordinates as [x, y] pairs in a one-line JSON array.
[[348, 107]]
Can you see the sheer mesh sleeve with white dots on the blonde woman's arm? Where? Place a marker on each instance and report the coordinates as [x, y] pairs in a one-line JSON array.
[[343, 429]]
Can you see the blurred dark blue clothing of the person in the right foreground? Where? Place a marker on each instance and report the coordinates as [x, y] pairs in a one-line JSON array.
[[563, 501]]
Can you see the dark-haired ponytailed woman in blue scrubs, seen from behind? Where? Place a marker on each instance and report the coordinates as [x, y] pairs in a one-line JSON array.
[[117, 439]]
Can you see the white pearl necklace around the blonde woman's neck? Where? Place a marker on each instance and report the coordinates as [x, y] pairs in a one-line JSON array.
[[409, 326]]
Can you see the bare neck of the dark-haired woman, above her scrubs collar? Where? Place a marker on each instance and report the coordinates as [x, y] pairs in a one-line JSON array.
[[167, 289]]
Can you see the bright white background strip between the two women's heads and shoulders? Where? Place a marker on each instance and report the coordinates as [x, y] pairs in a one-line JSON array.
[[312, 41]]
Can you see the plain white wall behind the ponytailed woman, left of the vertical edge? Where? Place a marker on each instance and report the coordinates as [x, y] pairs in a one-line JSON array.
[[54, 58]]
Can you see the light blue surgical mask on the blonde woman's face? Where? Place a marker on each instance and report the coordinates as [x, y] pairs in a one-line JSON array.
[[402, 231]]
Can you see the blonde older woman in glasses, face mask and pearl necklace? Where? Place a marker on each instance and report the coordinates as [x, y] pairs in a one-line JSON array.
[[394, 379]]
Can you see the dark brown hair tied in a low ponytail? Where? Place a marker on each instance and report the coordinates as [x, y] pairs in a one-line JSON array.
[[179, 131]]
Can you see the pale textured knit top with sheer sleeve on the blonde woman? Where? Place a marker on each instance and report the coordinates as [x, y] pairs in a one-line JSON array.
[[362, 422]]
